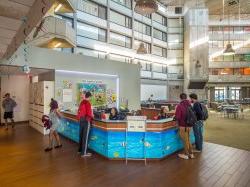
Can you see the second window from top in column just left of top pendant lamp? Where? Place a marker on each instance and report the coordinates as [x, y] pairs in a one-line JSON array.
[[120, 19]]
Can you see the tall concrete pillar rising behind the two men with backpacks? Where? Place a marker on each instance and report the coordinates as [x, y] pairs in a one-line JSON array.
[[196, 49]]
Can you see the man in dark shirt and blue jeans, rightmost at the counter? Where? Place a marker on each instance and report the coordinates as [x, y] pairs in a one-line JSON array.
[[197, 128]]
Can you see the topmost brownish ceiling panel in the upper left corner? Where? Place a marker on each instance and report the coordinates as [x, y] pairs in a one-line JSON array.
[[13, 10]]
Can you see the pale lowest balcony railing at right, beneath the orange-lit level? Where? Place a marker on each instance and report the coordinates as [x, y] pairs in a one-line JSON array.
[[229, 78]]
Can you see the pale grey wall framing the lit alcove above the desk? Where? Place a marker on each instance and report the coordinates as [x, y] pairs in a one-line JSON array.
[[129, 74]]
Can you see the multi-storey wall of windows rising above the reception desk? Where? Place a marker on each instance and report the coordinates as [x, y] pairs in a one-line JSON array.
[[162, 36]]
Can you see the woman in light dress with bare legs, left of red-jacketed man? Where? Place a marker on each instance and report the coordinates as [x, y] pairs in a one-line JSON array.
[[54, 116]]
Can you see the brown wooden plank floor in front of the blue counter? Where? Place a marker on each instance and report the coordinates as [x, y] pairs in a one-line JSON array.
[[24, 163]]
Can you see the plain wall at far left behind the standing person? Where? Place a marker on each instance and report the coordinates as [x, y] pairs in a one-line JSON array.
[[18, 87]]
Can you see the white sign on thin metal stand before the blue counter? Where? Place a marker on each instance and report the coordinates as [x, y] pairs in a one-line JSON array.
[[136, 123]]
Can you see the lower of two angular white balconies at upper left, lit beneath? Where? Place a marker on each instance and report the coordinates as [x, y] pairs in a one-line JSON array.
[[54, 32]]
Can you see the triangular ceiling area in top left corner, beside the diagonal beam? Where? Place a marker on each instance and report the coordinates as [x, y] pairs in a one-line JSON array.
[[12, 14]]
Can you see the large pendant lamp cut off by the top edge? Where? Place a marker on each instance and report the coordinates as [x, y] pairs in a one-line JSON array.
[[145, 7]]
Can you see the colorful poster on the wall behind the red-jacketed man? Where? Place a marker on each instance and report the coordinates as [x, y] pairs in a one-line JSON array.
[[98, 92]]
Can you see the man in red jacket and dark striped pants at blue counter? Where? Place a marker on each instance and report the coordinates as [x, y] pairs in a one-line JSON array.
[[85, 116]]
